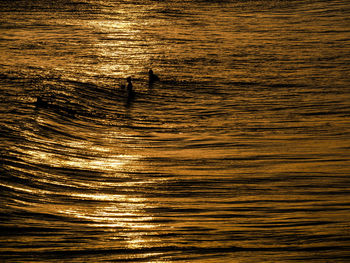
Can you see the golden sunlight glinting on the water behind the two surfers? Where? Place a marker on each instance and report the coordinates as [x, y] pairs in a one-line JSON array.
[[117, 42]]
